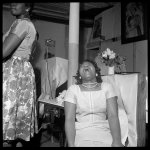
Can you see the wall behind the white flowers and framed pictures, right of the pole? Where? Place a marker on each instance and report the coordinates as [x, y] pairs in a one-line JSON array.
[[136, 53]]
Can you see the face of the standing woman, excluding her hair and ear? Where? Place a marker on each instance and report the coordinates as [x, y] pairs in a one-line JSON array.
[[18, 9]]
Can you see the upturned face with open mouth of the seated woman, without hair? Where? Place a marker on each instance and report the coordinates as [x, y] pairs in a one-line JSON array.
[[87, 72]]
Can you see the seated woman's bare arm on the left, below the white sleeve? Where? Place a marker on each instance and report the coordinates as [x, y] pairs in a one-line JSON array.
[[70, 111]]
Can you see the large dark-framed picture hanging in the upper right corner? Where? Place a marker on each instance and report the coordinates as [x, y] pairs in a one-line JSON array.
[[133, 22]]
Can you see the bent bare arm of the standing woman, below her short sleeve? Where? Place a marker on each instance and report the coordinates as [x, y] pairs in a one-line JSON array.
[[10, 44]]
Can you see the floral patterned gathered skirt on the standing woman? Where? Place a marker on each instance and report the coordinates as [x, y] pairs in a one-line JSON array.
[[19, 100]]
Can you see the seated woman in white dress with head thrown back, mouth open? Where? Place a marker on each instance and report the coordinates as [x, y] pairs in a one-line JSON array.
[[91, 111]]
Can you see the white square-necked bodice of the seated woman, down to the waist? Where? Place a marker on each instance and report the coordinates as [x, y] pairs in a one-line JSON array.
[[91, 105]]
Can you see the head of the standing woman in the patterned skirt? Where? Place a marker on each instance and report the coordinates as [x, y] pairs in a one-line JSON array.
[[21, 9]]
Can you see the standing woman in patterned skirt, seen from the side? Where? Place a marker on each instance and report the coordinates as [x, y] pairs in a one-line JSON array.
[[19, 99]]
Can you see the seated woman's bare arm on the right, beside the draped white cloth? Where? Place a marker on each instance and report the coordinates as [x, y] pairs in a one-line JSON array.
[[112, 111]]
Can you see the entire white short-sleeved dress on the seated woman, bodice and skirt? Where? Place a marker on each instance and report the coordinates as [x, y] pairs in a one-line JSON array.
[[91, 122]]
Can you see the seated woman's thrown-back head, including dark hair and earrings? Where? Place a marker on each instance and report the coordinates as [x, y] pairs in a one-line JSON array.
[[88, 72]]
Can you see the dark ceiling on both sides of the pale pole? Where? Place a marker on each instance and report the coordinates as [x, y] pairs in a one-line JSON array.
[[59, 12]]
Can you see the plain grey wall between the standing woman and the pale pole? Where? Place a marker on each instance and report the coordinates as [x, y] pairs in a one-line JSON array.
[[54, 31]]
